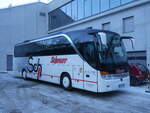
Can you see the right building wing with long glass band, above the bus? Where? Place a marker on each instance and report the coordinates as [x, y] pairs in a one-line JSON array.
[[126, 17]]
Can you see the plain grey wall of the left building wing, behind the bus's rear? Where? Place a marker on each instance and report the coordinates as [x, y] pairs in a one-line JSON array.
[[18, 24]]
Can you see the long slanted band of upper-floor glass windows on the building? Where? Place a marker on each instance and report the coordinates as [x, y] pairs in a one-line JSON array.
[[80, 9]]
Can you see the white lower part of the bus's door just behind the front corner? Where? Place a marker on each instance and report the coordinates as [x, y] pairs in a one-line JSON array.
[[90, 78]]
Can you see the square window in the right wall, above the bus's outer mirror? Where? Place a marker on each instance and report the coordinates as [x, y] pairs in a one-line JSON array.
[[128, 24]]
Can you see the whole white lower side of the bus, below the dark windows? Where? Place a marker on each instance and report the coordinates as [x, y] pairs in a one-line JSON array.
[[53, 67]]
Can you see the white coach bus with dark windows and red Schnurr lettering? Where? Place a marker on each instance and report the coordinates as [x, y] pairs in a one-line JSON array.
[[89, 59]]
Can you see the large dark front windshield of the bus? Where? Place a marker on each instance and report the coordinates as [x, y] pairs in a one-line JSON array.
[[112, 54]]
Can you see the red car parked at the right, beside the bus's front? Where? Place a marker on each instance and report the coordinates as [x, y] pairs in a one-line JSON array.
[[138, 74]]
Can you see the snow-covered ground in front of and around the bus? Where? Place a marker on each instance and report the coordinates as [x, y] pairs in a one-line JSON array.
[[20, 96]]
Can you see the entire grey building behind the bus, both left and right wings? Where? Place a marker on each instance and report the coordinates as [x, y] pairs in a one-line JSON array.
[[126, 17]]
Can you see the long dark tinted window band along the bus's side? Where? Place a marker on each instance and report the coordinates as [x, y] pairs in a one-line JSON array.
[[54, 46]]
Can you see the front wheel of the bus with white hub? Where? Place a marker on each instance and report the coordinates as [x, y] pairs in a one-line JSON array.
[[65, 81]]
